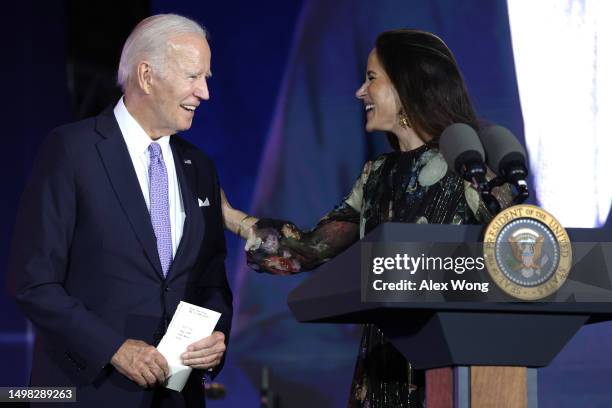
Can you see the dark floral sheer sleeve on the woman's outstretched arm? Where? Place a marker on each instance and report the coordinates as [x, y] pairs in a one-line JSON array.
[[281, 248]]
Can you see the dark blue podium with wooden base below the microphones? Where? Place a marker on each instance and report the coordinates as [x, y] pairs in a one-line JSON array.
[[475, 354]]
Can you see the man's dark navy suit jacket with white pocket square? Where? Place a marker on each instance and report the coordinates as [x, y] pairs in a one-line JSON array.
[[84, 265]]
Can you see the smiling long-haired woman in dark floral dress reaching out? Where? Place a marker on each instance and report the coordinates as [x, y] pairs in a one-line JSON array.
[[412, 91]]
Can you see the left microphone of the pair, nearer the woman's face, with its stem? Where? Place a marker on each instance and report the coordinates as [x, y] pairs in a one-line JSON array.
[[463, 151]]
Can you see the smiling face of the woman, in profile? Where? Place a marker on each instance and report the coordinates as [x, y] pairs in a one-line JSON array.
[[380, 99]]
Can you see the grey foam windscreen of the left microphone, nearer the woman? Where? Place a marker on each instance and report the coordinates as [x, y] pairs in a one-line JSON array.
[[459, 144]]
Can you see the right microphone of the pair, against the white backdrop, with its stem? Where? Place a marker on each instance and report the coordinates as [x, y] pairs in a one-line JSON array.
[[507, 158]]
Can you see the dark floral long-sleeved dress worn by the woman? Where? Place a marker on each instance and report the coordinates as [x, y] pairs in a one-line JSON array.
[[413, 187]]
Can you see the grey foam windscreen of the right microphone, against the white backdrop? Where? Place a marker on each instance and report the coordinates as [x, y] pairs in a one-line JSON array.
[[501, 145]]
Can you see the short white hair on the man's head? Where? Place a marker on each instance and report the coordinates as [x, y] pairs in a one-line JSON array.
[[149, 40]]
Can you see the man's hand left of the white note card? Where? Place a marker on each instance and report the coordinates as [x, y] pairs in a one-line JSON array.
[[141, 363]]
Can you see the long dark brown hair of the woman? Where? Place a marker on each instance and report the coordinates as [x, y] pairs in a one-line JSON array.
[[427, 79]]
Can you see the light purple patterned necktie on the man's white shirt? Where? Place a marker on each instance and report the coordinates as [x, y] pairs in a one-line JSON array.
[[160, 206]]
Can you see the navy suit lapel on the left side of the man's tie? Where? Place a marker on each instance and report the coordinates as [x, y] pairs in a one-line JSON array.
[[122, 175]]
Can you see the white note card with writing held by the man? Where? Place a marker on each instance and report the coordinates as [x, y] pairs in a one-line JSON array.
[[189, 324]]
